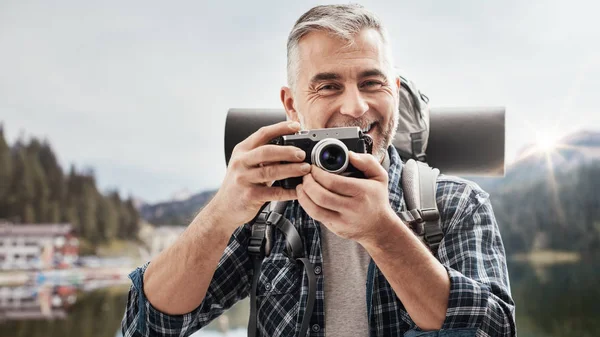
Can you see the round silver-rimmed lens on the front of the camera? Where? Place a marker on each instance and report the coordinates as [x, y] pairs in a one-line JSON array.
[[331, 155]]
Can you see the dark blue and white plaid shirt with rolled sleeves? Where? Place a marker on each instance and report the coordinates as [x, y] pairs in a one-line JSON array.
[[480, 302]]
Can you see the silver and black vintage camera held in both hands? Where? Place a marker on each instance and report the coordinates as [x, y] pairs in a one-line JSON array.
[[328, 150]]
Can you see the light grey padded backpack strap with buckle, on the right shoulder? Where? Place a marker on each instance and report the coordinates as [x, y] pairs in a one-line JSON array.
[[419, 186]]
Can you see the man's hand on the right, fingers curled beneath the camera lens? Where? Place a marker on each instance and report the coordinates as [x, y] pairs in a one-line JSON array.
[[353, 208]]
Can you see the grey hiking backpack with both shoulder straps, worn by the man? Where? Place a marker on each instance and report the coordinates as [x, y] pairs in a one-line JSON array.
[[419, 185]]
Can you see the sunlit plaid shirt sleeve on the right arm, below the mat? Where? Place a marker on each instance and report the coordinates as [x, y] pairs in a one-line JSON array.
[[473, 254]]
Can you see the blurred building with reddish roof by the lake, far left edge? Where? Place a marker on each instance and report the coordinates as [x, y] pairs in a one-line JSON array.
[[37, 246]]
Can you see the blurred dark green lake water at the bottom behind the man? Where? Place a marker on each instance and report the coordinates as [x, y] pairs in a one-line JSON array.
[[561, 299]]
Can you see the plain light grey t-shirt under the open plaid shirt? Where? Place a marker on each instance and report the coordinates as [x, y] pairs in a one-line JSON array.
[[345, 264]]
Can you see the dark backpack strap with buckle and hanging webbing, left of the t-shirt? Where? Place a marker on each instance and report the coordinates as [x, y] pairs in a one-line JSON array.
[[259, 247]]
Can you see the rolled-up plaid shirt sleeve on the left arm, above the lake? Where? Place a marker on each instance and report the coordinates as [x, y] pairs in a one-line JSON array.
[[231, 282]]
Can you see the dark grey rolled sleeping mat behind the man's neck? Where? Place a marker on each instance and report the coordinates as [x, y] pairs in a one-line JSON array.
[[462, 141]]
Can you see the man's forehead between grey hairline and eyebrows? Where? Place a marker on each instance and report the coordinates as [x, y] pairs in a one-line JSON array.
[[322, 52]]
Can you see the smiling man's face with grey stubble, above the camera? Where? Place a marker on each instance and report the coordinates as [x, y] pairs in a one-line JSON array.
[[341, 85]]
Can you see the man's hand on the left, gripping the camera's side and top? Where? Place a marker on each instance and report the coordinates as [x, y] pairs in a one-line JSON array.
[[253, 167]]
